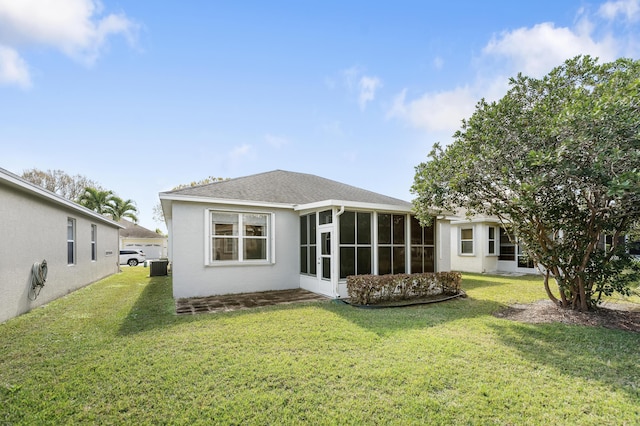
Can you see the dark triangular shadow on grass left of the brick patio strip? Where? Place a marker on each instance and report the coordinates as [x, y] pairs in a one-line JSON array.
[[155, 308]]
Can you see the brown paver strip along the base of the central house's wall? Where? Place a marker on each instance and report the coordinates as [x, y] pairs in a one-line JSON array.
[[234, 302]]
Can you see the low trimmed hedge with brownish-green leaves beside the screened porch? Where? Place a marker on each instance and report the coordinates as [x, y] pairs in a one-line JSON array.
[[372, 289]]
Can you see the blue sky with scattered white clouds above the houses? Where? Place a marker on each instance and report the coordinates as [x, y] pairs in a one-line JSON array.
[[143, 96]]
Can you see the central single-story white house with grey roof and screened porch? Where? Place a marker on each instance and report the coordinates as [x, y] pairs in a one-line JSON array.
[[282, 230]]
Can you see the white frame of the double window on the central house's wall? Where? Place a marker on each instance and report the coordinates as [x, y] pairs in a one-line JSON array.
[[270, 244]]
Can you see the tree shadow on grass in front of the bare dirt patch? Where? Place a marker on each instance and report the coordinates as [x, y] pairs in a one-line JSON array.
[[590, 353]]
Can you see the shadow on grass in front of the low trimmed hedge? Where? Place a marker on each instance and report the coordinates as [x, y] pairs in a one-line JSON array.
[[384, 322]]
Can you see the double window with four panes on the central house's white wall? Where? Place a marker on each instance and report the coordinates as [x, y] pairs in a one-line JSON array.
[[239, 237]]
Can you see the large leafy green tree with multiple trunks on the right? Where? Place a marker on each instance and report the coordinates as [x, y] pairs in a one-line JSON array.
[[557, 159]]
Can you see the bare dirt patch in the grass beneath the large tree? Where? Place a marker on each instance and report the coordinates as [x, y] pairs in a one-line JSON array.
[[613, 315]]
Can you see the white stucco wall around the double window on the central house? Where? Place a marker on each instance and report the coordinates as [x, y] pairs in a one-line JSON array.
[[187, 247]]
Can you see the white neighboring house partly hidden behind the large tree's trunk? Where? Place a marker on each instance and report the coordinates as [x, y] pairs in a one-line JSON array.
[[482, 245]]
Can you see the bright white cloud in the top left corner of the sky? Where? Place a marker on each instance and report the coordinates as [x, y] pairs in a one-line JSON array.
[[74, 27]]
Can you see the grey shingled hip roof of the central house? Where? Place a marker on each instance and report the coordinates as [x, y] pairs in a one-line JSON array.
[[285, 187]]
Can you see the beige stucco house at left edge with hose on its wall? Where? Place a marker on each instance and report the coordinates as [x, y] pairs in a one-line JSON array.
[[79, 245]]
